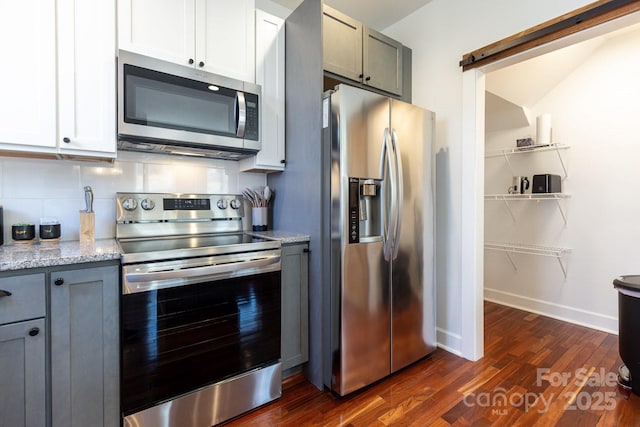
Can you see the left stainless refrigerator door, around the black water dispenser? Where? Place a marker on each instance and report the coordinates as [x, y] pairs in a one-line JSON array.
[[360, 343]]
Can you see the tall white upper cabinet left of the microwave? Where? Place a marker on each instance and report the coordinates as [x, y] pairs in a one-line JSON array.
[[56, 90]]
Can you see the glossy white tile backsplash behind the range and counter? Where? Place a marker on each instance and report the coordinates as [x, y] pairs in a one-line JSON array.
[[31, 189]]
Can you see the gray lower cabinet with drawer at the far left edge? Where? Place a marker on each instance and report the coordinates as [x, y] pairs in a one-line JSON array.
[[23, 351]]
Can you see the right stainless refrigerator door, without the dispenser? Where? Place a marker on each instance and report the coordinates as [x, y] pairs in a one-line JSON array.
[[412, 268]]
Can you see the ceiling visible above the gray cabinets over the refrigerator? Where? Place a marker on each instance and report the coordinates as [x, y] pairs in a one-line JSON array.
[[378, 14]]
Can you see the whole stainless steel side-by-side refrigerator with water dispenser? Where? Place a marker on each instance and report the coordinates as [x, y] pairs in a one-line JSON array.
[[379, 307]]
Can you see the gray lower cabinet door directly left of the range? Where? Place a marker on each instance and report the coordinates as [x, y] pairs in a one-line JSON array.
[[84, 347]]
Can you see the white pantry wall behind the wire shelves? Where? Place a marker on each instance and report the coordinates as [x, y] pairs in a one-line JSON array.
[[594, 109]]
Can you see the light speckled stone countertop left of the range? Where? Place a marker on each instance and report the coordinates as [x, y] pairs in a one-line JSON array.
[[34, 255]]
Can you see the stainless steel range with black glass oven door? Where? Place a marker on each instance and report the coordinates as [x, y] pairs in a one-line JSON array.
[[200, 310]]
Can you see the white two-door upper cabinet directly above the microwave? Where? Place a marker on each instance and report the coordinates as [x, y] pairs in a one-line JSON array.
[[214, 35]]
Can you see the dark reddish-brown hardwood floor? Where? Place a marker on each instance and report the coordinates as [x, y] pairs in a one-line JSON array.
[[536, 371]]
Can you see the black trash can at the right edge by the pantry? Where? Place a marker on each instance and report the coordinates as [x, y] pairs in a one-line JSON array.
[[628, 288]]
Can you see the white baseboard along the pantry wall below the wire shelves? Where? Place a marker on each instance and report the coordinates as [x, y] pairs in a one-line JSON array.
[[565, 313]]
